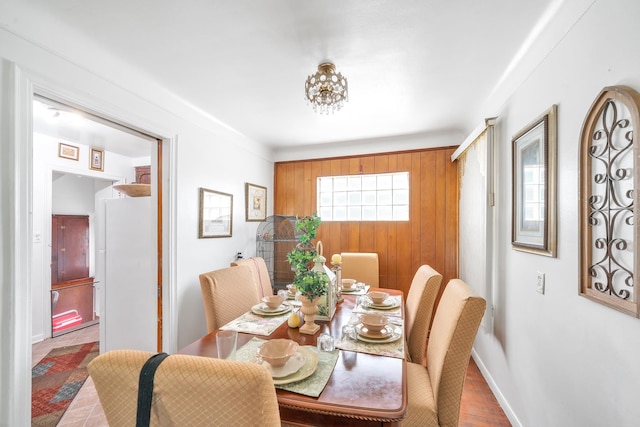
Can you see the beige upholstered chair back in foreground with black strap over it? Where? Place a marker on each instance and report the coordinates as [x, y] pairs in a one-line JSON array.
[[187, 391]]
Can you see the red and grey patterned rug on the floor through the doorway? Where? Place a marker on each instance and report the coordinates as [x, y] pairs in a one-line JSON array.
[[56, 379]]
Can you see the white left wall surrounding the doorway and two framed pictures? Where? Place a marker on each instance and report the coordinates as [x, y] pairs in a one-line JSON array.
[[204, 154]]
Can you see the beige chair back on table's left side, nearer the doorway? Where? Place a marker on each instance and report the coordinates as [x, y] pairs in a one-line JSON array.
[[227, 293]]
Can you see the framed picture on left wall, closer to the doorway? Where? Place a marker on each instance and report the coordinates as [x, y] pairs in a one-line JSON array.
[[216, 214]]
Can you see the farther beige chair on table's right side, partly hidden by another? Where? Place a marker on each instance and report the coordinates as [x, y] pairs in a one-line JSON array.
[[419, 310]]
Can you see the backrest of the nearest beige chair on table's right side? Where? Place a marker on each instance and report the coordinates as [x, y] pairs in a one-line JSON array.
[[453, 332]]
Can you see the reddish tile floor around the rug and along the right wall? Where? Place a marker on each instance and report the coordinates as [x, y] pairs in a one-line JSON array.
[[479, 408]]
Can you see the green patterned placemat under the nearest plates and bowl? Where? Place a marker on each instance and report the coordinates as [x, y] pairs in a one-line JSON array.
[[310, 386]]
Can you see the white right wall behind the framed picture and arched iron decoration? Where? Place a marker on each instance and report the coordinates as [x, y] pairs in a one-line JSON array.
[[559, 359]]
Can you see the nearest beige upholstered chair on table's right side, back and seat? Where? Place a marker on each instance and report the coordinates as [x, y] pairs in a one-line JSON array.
[[435, 391]]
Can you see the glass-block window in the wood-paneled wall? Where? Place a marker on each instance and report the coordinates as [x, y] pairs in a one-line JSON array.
[[375, 197]]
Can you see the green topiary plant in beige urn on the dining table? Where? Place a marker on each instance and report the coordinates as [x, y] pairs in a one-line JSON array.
[[309, 283]]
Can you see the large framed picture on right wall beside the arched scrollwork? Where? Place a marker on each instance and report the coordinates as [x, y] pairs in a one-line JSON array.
[[534, 186]]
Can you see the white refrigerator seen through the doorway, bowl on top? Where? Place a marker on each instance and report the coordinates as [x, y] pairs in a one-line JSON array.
[[129, 310]]
